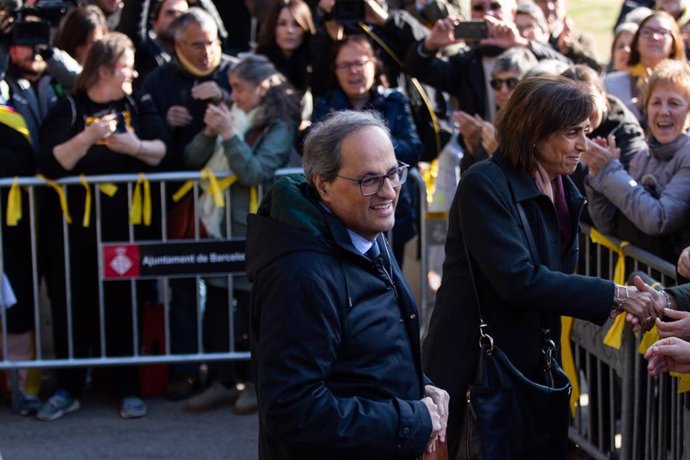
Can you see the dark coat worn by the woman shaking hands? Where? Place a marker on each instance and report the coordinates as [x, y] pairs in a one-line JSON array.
[[518, 296]]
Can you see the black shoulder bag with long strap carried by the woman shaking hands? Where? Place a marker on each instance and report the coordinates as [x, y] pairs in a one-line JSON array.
[[510, 416]]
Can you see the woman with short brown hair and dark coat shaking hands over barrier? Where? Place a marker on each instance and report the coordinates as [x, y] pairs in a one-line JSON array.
[[522, 268]]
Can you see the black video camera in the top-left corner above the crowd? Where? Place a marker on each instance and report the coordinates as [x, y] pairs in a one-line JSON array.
[[33, 32]]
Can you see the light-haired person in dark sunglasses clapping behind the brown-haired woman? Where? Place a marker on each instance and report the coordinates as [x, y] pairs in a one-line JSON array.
[[479, 135]]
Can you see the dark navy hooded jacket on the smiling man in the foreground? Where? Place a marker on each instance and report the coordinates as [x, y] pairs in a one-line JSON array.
[[335, 344]]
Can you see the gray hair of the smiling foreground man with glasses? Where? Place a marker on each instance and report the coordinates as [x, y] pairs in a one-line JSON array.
[[322, 156]]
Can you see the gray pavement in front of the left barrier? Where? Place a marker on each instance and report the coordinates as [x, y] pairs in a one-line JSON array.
[[97, 432]]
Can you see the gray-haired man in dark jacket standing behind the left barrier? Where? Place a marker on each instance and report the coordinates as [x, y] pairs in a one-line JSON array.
[[181, 90]]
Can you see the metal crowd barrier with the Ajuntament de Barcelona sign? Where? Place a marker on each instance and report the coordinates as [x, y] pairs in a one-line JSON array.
[[164, 185]]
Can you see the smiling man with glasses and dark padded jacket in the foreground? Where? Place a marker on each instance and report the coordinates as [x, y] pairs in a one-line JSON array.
[[334, 327]]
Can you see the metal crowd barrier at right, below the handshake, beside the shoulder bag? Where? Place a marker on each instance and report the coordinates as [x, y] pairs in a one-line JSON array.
[[623, 413]]
